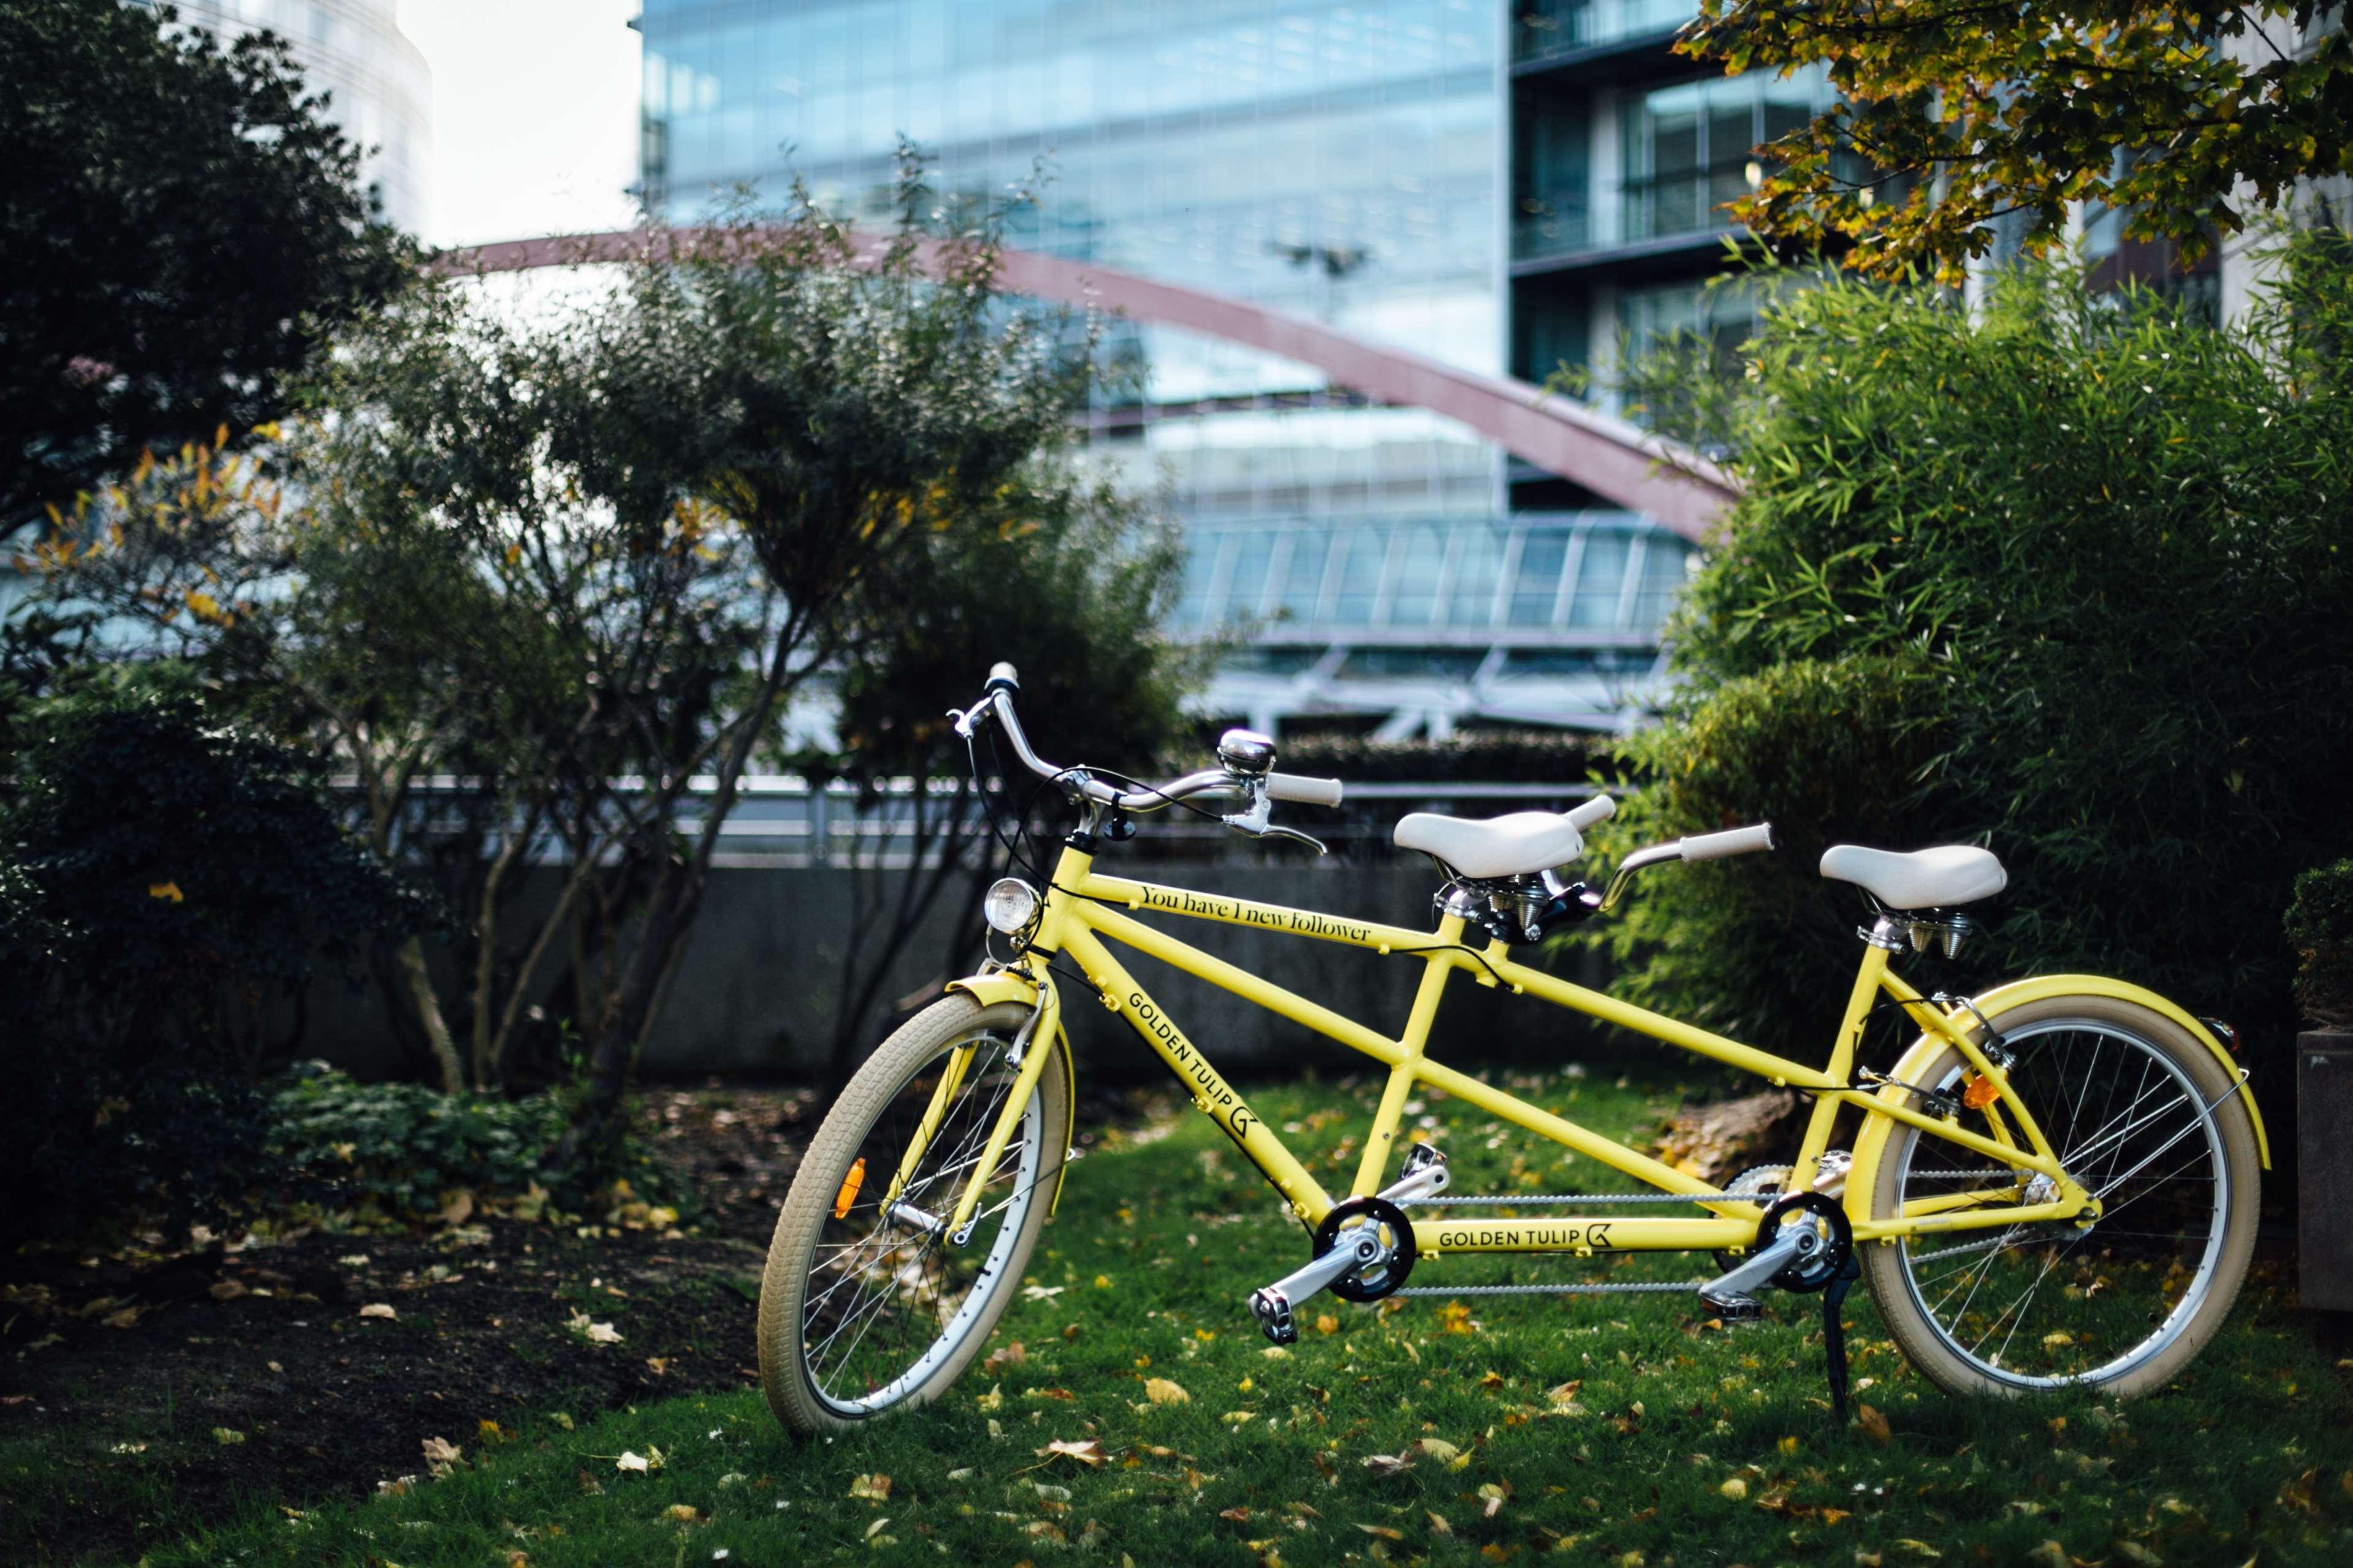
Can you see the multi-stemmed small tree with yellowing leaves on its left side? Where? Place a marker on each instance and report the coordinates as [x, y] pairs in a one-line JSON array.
[[415, 589]]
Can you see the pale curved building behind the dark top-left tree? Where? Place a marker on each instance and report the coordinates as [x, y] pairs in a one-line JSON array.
[[380, 88]]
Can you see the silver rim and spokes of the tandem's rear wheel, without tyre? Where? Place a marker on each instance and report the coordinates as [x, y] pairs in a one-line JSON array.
[[2025, 1304]]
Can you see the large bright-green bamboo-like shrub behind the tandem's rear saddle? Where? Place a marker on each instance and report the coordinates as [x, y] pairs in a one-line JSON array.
[[2119, 547]]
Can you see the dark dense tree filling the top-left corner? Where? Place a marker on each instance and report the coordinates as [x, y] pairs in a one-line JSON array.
[[178, 232]]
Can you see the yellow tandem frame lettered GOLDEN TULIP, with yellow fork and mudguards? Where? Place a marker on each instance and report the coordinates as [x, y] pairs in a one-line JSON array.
[[1081, 909]]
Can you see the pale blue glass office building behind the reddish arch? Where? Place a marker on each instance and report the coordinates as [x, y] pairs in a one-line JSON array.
[[1340, 163]]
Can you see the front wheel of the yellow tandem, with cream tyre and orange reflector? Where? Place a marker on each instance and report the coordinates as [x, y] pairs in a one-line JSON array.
[[867, 1306]]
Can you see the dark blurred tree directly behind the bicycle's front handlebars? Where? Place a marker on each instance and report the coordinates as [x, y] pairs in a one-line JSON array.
[[1074, 589]]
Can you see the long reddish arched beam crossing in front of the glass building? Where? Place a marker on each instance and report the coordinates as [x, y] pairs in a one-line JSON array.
[[1606, 455]]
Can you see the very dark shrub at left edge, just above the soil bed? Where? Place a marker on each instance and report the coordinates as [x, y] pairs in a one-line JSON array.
[[161, 885]]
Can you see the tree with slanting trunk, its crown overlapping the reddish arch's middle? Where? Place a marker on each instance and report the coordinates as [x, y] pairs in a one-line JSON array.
[[836, 401]]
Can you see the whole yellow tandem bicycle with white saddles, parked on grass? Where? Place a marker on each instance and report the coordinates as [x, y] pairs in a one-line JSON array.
[[2055, 1186]]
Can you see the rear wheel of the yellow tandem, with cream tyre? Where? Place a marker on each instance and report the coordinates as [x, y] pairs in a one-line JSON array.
[[2152, 1125]]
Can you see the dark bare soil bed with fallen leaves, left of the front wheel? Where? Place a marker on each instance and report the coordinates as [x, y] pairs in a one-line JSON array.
[[321, 1365]]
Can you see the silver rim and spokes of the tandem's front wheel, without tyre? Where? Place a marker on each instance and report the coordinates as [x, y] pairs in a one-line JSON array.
[[884, 1289]]
